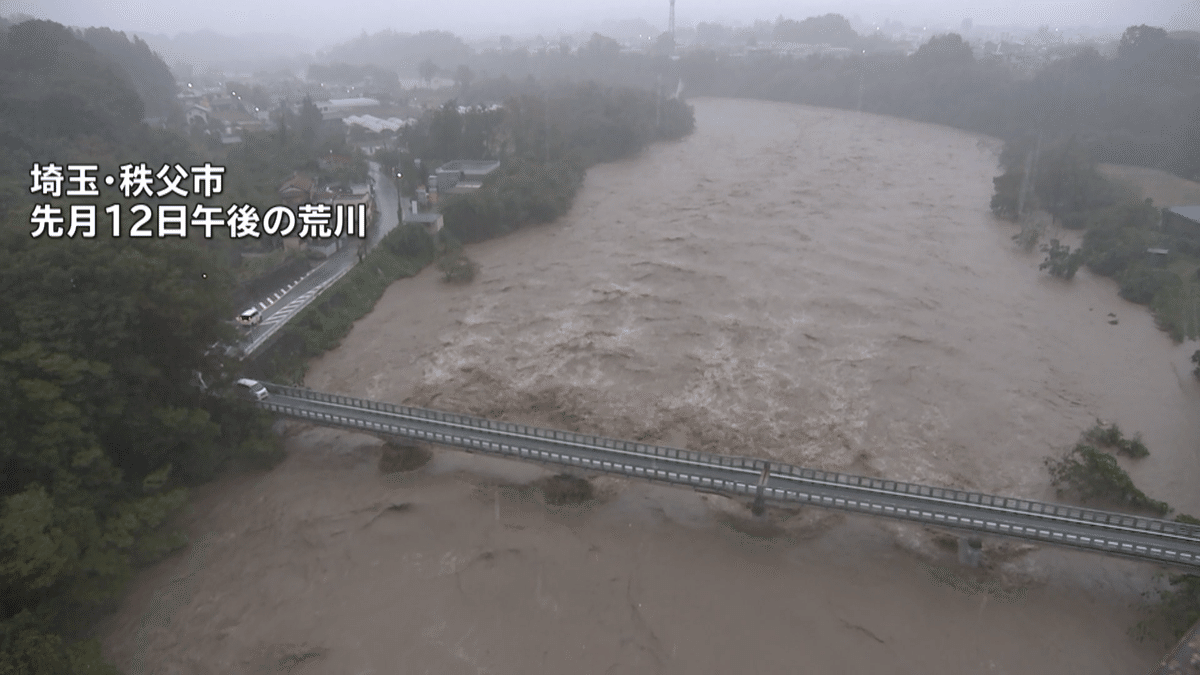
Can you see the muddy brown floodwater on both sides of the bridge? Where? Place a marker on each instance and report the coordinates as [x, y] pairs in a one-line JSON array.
[[820, 288]]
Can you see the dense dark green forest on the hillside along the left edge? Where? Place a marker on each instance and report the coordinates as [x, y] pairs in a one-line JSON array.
[[112, 398]]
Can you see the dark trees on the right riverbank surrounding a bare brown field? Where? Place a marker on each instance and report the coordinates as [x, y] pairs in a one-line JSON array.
[[1053, 168]]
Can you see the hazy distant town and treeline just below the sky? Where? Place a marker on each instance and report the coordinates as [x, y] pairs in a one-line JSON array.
[[230, 95]]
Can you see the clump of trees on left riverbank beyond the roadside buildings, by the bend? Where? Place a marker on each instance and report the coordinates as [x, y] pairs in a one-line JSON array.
[[547, 138]]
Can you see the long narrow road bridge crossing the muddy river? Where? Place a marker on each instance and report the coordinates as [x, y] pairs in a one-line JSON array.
[[1150, 540]]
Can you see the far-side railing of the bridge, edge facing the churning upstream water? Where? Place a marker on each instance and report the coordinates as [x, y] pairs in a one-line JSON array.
[[934, 494]]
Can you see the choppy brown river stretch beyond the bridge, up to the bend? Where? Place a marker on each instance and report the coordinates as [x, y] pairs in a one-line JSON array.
[[814, 286]]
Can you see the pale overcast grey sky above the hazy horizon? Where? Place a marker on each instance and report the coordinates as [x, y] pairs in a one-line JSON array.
[[327, 22]]
